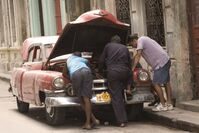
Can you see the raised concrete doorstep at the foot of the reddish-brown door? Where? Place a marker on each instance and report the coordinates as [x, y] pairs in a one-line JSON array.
[[192, 105]]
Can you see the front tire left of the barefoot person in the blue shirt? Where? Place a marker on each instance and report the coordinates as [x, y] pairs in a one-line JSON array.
[[55, 115]]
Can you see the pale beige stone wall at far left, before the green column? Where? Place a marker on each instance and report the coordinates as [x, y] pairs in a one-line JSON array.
[[12, 11]]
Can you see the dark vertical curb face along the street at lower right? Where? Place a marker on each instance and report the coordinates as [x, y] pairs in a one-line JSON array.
[[171, 121]]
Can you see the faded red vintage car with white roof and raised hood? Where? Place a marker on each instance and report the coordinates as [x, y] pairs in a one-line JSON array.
[[39, 80]]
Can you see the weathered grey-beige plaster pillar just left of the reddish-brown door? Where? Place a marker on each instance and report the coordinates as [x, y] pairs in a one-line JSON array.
[[177, 44]]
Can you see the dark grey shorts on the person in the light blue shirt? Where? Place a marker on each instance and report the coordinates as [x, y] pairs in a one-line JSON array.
[[82, 82]]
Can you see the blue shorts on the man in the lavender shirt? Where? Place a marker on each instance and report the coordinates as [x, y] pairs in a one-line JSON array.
[[161, 75]]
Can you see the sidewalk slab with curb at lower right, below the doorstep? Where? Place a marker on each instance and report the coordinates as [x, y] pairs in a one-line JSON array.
[[177, 118]]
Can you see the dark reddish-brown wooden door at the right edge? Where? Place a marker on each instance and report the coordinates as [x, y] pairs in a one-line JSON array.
[[193, 11]]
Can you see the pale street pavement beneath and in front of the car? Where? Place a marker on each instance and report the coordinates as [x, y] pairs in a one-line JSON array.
[[13, 121]]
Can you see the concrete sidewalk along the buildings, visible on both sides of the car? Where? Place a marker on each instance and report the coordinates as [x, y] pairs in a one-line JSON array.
[[186, 118]]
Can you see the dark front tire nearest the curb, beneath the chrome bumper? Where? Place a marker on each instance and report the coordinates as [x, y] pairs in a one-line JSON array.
[[135, 111]]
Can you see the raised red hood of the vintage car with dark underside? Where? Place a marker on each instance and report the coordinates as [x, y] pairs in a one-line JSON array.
[[89, 32]]
